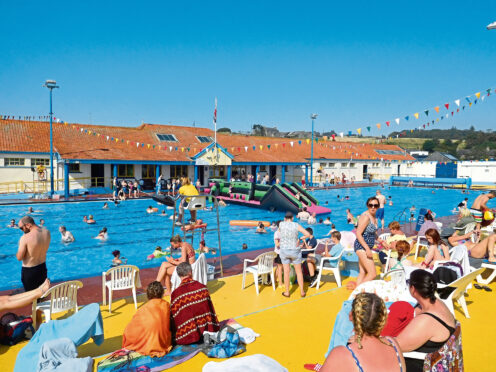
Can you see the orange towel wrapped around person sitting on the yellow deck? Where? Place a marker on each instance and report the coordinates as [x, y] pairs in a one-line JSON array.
[[148, 333]]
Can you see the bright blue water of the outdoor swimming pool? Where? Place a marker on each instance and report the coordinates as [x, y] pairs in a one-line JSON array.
[[136, 233]]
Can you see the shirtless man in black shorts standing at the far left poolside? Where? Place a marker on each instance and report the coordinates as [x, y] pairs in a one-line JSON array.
[[33, 246]]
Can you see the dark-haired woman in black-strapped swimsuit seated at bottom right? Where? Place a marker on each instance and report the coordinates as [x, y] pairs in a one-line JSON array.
[[433, 324]]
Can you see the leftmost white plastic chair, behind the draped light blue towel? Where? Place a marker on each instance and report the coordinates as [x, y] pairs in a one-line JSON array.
[[63, 297]]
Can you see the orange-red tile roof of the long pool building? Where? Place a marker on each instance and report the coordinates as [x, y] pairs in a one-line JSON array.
[[78, 141]]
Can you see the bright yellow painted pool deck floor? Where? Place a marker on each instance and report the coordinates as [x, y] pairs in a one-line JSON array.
[[293, 331]]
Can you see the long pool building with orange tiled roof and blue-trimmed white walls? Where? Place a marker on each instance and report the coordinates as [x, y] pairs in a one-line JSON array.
[[89, 156]]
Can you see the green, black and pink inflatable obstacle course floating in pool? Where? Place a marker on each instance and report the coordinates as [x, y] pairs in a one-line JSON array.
[[283, 197]]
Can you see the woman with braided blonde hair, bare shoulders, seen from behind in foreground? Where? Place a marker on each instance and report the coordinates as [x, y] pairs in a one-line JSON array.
[[367, 350]]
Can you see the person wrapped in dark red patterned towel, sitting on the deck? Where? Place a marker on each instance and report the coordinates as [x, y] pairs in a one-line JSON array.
[[192, 311]]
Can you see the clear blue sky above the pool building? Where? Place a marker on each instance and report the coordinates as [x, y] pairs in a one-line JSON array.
[[355, 63]]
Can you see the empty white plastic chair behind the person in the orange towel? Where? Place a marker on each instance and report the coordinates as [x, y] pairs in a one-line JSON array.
[[121, 277]]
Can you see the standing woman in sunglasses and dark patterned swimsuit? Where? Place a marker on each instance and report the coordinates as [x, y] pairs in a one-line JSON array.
[[366, 233]]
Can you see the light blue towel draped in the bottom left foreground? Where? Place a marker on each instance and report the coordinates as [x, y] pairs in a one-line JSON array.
[[79, 328]]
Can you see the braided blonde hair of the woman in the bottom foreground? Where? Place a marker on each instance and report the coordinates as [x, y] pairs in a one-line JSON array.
[[369, 315]]
